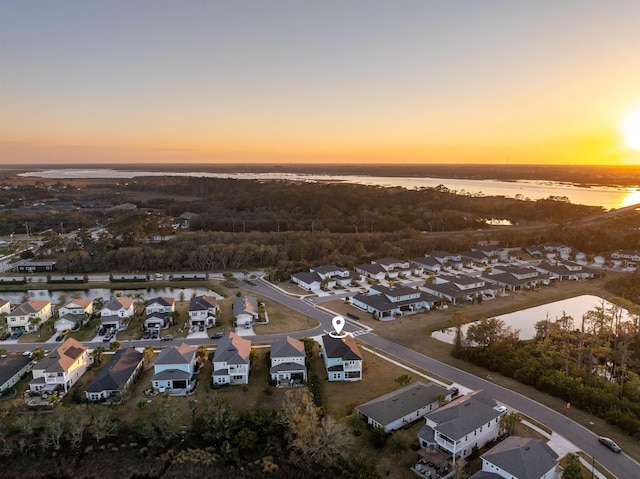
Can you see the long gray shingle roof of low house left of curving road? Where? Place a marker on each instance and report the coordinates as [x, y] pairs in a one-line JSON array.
[[397, 404]]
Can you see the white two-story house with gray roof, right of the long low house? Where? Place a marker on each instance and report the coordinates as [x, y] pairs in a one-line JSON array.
[[468, 421]]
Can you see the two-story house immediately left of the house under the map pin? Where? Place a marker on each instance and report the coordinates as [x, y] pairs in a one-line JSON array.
[[288, 362]]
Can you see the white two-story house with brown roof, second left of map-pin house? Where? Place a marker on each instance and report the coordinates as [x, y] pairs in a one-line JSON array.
[[232, 360]]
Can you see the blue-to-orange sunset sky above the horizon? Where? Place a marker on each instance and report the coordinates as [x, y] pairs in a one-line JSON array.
[[477, 81]]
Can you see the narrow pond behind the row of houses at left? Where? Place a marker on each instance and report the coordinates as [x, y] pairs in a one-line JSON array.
[[16, 297]]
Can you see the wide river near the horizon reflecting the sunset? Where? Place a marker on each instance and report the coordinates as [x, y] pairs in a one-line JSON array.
[[607, 197]]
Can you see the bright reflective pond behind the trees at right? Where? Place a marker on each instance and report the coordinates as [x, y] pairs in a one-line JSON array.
[[525, 319]]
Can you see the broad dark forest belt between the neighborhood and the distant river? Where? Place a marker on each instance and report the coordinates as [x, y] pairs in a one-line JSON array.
[[287, 226]]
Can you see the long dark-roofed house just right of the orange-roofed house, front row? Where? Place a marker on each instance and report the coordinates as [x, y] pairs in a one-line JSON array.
[[115, 377]]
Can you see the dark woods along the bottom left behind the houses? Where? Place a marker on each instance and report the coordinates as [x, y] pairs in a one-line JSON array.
[[91, 441]]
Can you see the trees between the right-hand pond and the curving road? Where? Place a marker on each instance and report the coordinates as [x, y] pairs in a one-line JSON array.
[[591, 363]]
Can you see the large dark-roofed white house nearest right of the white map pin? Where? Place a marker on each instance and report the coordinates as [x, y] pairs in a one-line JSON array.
[[388, 302]]
